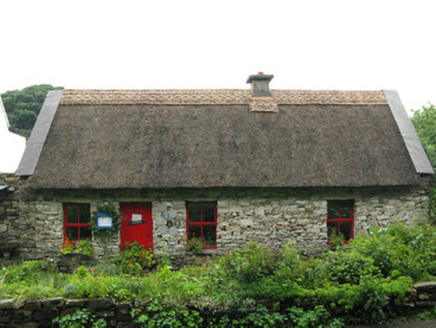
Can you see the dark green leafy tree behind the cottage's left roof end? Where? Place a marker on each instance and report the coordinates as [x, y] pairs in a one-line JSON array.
[[23, 106]]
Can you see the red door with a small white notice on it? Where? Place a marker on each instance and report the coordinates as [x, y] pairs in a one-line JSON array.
[[137, 224]]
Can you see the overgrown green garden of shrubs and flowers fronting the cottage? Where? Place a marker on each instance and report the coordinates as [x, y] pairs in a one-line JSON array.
[[363, 282]]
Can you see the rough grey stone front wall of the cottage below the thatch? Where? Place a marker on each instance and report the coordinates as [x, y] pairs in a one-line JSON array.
[[266, 216]]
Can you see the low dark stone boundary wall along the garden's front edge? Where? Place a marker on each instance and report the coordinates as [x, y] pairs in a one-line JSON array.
[[30, 314]]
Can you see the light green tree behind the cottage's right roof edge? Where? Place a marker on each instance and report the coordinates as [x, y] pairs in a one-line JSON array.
[[424, 121]]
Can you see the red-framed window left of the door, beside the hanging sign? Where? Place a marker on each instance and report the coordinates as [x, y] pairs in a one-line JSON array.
[[77, 221]]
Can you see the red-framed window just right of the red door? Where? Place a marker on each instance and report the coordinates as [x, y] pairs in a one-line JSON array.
[[201, 222]]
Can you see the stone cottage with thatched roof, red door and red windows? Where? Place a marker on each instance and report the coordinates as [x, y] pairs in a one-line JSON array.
[[229, 166]]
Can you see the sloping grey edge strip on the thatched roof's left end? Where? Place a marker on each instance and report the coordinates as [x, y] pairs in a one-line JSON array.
[[39, 134]]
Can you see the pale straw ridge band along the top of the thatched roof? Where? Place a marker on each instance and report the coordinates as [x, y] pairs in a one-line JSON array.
[[218, 97]]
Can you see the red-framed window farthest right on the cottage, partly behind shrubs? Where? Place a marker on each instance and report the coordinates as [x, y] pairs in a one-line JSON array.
[[340, 218]]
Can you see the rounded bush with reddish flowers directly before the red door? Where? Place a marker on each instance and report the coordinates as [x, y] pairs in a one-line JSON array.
[[135, 258]]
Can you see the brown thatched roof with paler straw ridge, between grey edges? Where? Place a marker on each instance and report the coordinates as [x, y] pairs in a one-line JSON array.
[[220, 138]]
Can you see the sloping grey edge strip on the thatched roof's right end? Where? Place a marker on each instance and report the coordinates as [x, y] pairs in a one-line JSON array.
[[413, 144]]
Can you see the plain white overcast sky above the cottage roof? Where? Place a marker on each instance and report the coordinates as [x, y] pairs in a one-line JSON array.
[[341, 45]]
